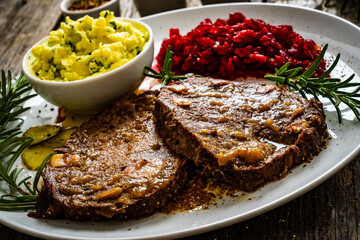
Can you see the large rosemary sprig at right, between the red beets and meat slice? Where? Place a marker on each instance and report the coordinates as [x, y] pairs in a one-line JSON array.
[[324, 86]]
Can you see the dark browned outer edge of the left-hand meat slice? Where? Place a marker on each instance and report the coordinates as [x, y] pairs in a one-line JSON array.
[[51, 203]]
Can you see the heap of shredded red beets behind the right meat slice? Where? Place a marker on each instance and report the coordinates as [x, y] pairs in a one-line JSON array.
[[238, 47]]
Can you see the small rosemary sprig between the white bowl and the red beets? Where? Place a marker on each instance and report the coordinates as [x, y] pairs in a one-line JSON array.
[[166, 75]]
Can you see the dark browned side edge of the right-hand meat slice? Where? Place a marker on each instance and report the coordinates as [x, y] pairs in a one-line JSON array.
[[309, 142]]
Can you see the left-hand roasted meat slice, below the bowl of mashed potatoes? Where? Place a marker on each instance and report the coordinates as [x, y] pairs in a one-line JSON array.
[[114, 166]]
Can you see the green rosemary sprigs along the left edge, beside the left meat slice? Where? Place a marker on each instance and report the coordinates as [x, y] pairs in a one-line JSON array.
[[13, 93]]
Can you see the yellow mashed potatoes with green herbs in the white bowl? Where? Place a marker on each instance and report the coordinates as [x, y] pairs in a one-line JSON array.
[[87, 47]]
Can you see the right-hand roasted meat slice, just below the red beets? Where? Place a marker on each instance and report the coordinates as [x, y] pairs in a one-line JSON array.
[[251, 133]]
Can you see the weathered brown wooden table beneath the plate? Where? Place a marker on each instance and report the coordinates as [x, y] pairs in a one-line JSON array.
[[330, 211]]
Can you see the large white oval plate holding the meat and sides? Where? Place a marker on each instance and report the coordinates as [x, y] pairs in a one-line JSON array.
[[342, 37]]
